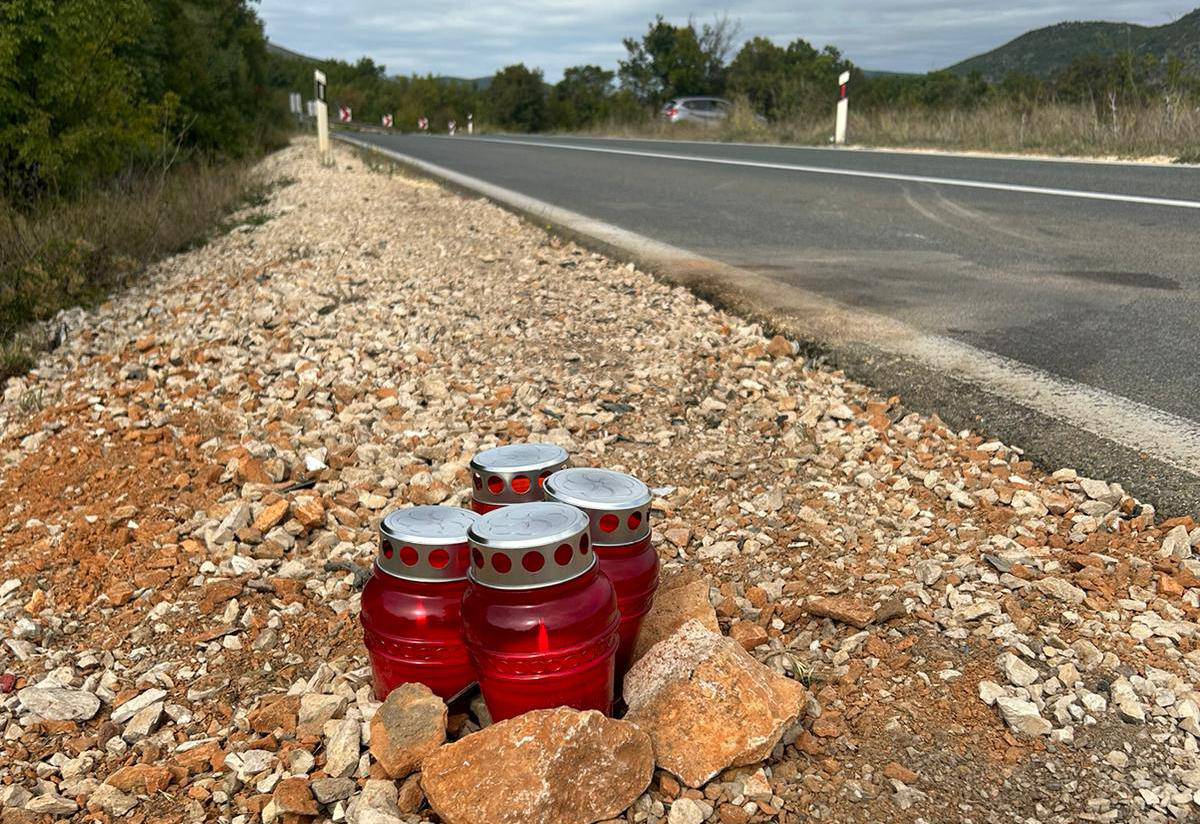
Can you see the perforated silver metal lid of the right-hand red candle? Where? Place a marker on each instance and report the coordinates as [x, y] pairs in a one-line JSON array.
[[617, 506]]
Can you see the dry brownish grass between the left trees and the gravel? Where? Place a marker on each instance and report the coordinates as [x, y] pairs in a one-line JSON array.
[[74, 254]]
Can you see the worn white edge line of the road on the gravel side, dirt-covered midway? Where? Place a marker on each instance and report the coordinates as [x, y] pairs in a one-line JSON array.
[[1131, 424]]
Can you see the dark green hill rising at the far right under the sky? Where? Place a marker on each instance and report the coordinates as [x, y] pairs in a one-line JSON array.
[[1043, 52]]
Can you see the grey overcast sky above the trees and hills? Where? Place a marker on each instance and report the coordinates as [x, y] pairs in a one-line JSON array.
[[461, 41]]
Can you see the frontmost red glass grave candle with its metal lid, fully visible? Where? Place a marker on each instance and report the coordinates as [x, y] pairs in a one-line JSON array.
[[539, 618]]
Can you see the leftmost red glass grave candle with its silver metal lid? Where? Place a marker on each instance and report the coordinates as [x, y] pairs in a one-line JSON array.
[[412, 604]]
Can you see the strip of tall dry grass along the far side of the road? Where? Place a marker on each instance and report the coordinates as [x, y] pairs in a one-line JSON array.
[[1167, 129]]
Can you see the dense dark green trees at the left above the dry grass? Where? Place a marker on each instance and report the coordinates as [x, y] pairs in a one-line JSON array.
[[93, 88]]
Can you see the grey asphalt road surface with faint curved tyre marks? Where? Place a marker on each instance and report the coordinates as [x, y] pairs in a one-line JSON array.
[[1087, 273]]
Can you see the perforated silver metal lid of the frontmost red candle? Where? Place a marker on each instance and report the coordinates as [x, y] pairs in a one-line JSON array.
[[530, 546]]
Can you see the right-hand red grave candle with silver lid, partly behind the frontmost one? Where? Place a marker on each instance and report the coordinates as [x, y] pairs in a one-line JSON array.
[[619, 509]]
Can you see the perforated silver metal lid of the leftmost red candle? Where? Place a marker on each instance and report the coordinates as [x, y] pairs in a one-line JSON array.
[[425, 544]]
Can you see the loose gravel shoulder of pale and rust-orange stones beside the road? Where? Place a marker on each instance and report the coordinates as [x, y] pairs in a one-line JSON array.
[[190, 489]]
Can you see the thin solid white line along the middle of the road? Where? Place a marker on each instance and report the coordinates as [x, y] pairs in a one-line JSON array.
[[856, 173]]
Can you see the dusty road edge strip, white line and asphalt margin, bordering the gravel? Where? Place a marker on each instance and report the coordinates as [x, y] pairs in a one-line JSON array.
[[875, 351]]
